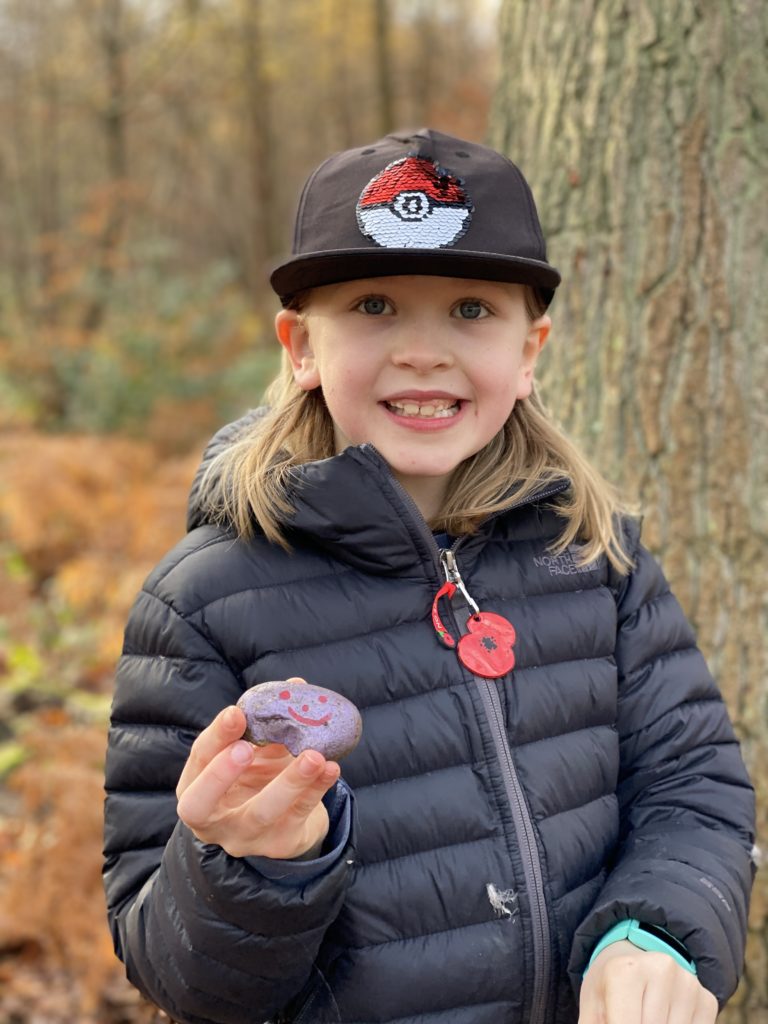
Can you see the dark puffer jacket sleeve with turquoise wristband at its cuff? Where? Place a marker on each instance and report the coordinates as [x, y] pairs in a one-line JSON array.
[[687, 805]]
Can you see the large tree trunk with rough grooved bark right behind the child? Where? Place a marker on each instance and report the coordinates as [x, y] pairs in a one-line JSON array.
[[644, 131]]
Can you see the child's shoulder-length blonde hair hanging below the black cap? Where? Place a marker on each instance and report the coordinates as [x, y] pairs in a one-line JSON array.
[[250, 480]]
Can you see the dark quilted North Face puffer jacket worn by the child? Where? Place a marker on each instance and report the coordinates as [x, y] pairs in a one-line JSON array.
[[501, 827]]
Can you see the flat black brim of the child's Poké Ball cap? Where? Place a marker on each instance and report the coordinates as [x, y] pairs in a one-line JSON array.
[[316, 270]]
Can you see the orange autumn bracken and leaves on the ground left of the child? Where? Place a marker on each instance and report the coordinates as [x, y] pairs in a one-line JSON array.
[[82, 522]]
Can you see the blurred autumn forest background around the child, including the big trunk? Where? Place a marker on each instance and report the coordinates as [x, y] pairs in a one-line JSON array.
[[151, 157]]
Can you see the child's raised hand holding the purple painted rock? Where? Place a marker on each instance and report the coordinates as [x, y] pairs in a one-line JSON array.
[[254, 801]]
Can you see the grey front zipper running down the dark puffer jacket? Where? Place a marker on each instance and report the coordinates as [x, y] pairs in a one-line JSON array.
[[524, 825]]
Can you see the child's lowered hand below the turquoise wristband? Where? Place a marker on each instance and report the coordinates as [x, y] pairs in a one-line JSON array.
[[627, 986]]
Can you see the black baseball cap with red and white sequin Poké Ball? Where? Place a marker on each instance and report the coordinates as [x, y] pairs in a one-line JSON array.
[[422, 203]]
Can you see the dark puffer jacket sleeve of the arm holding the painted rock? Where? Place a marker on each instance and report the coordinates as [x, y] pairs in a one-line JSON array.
[[209, 938]]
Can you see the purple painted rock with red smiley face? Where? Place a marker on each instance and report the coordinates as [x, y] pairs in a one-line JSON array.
[[302, 717]]
